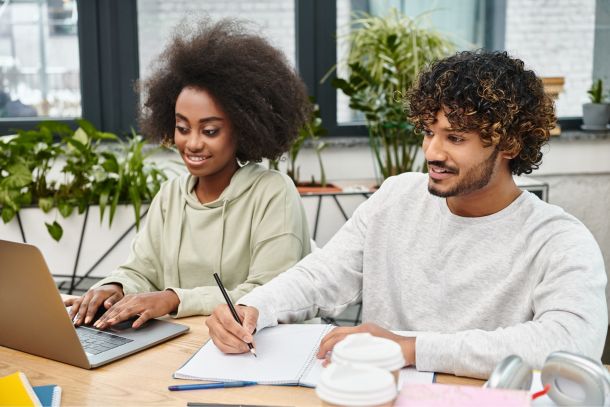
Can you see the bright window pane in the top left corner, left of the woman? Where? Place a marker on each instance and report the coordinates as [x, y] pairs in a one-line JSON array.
[[39, 60]]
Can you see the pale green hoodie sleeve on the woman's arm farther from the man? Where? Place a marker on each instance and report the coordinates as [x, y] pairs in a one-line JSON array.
[[141, 272]]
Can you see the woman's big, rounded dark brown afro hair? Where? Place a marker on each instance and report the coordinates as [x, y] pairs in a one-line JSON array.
[[263, 97]]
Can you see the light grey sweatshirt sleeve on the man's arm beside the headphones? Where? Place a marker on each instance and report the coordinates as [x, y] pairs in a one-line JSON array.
[[570, 314]]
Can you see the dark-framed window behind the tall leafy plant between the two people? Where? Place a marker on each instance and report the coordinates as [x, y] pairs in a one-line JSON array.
[[471, 23]]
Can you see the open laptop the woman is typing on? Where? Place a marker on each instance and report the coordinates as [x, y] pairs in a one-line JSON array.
[[33, 318]]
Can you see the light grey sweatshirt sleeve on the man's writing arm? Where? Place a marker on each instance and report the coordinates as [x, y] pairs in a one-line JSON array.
[[322, 284]]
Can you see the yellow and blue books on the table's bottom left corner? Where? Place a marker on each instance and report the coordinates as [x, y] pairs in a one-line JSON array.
[[16, 390]]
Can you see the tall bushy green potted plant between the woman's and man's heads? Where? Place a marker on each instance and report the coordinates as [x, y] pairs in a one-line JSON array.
[[384, 59]]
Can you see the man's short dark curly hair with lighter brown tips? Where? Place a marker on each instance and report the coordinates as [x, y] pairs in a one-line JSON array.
[[489, 93]]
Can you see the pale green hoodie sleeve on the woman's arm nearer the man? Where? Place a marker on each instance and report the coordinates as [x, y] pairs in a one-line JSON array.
[[279, 240]]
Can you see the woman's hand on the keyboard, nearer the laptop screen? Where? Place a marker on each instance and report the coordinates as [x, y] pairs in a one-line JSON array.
[[84, 308]]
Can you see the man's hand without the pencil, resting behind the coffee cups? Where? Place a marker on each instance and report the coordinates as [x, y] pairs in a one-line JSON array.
[[330, 340]]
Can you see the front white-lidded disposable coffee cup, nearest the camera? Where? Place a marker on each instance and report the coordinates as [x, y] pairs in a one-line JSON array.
[[356, 385]]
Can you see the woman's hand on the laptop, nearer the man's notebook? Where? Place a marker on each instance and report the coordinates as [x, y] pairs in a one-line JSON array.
[[144, 305]]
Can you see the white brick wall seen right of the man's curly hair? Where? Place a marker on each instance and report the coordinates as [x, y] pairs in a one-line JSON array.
[[555, 38]]
